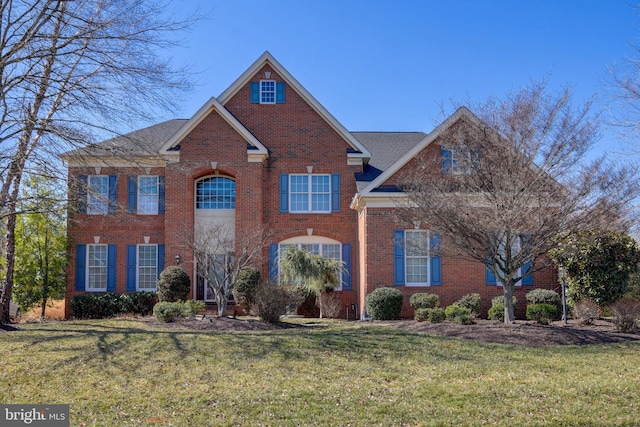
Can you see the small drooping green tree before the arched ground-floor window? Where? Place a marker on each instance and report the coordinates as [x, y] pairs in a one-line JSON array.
[[315, 274]]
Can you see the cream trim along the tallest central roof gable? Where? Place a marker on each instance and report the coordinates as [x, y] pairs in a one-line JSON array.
[[358, 150]]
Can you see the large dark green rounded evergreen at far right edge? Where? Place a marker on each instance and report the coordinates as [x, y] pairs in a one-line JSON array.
[[599, 264]]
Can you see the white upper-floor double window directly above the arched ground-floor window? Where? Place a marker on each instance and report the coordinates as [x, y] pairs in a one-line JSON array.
[[310, 193]]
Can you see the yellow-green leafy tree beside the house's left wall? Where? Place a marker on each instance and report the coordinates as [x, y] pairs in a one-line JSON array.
[[40, 263]]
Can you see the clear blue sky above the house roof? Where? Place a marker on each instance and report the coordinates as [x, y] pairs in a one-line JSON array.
[[391, 65]]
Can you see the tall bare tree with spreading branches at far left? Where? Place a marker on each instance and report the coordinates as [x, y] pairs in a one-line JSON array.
[[72, 72]]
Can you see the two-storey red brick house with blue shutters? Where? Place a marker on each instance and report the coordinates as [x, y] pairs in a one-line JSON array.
[[264, 153]]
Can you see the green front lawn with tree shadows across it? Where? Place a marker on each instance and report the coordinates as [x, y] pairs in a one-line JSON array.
[[335, 373]]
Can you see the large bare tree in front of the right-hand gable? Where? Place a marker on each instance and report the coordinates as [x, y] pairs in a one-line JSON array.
[[513, 177]]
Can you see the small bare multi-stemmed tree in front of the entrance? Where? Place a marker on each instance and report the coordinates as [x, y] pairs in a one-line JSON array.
[[219, 255]]
